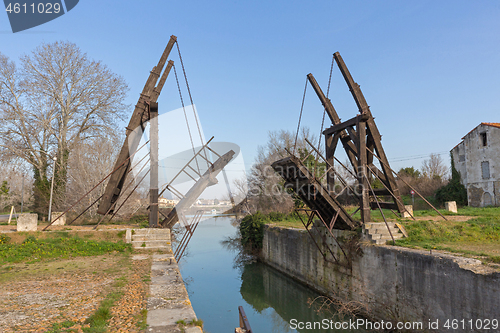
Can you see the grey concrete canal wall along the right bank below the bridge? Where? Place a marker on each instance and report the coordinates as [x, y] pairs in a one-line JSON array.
[[391, 283]]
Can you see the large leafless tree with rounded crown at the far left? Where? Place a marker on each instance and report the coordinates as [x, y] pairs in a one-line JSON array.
[[57, 99]]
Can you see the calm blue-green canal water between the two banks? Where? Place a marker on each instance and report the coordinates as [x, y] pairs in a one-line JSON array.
[[218, 281]]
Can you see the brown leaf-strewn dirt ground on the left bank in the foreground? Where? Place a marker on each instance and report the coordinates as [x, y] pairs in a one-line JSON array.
[[59, 296]]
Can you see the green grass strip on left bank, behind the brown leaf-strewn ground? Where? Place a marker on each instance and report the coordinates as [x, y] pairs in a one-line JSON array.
[[61, 245]]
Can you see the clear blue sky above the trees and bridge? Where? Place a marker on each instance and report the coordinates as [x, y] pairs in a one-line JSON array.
[[429, 69]]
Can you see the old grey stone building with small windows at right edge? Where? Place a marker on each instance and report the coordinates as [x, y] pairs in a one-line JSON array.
[[477, 158]]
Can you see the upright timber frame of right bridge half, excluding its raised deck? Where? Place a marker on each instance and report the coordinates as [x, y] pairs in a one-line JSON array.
[[361, 140]]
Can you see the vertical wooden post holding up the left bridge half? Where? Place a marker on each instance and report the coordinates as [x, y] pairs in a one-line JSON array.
[[153, 184]]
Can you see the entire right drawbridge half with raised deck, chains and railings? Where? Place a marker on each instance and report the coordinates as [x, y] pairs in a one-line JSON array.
[[317, 186]]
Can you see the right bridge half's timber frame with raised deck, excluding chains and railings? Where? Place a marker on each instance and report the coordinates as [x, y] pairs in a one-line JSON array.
[[361, 141]]
